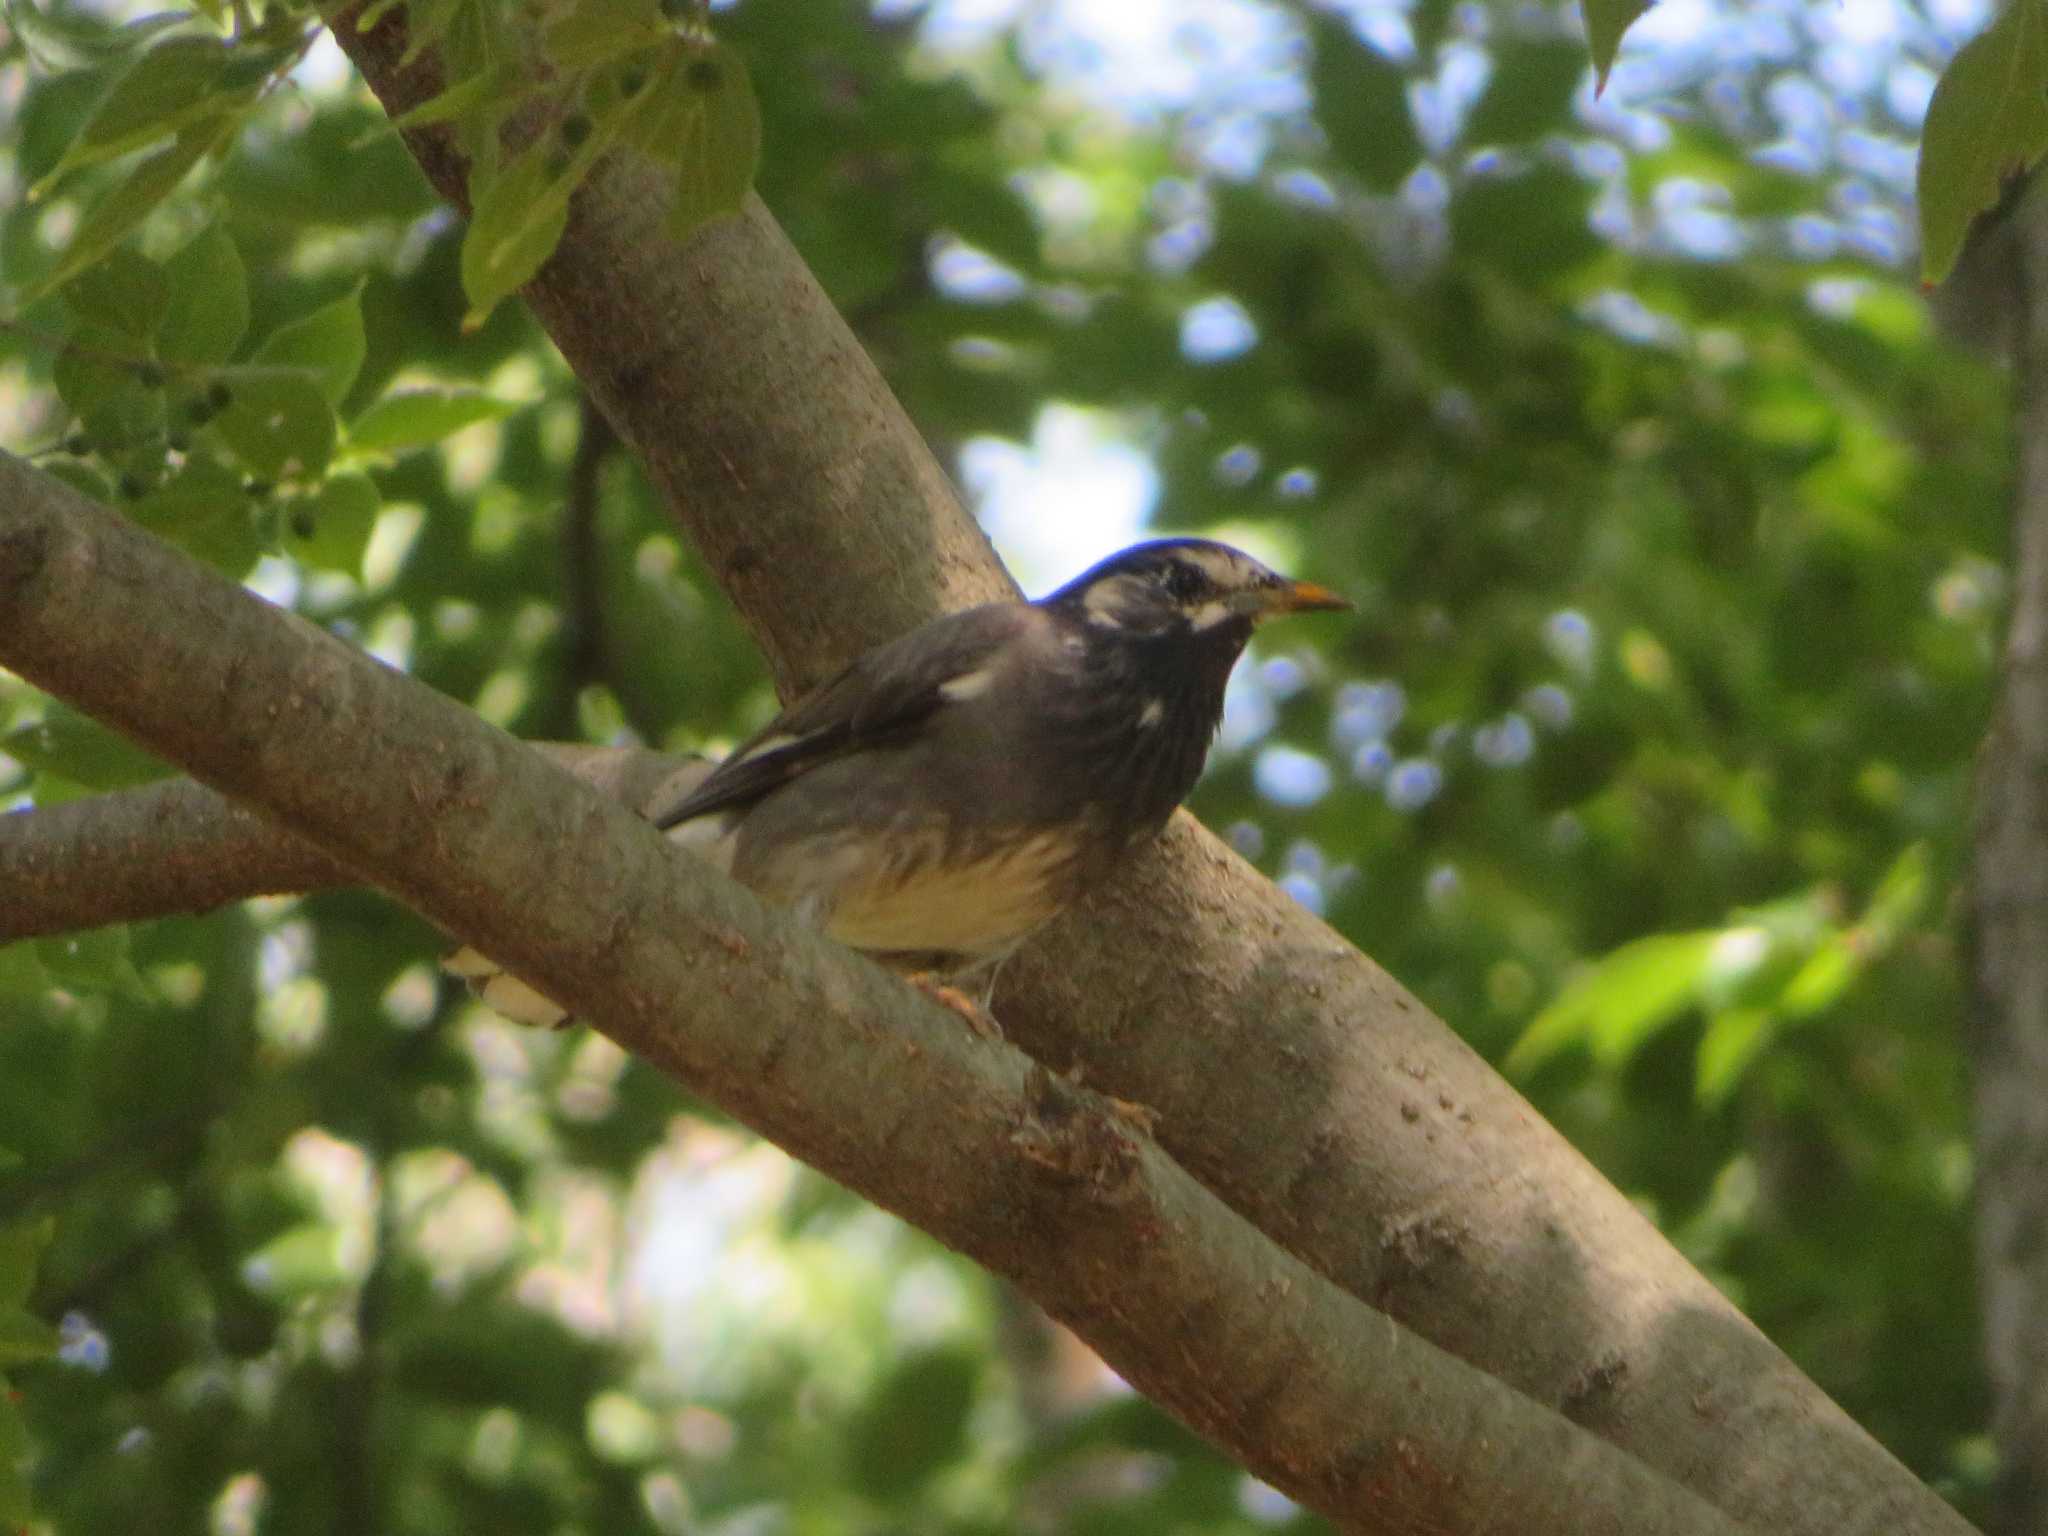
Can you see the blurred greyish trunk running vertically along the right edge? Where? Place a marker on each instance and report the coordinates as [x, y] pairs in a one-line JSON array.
[[2010, 945]]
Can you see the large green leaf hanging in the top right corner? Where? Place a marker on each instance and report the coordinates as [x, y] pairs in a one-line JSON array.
[[1988, 124]]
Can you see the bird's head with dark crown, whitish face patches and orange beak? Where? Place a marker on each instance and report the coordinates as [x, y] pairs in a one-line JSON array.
[[1187, 587]]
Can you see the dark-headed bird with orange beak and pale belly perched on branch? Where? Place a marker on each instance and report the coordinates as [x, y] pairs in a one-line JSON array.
[[957, 787]]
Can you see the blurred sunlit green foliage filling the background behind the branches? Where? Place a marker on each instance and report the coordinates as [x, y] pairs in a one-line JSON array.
[[1678, 546]]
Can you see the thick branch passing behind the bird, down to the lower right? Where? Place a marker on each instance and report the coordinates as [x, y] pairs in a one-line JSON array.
[[1291, 1074]]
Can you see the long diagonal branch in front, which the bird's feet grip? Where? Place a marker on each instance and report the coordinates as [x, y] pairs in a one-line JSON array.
[[814, 1048]]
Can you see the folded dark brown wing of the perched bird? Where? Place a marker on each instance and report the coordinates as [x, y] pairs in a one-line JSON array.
[[882, 697]]
